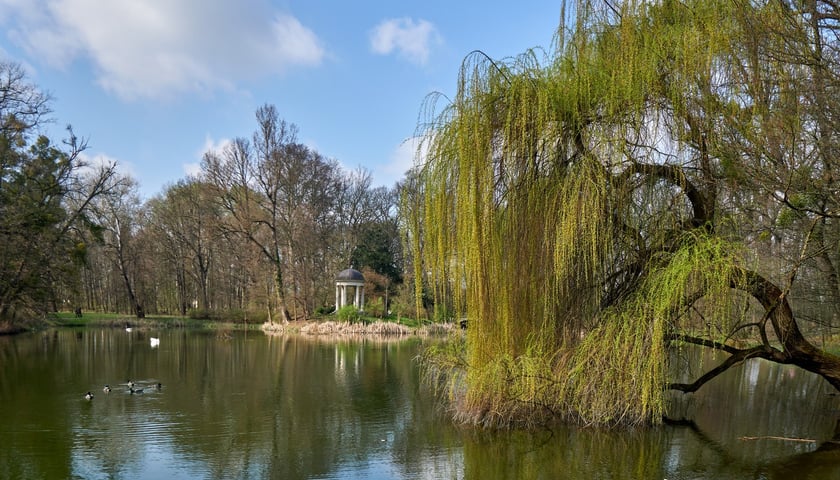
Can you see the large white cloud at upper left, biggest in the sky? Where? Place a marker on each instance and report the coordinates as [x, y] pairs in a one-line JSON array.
[[162, 48]]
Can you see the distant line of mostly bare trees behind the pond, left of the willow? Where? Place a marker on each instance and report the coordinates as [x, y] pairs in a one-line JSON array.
[[264, 227]]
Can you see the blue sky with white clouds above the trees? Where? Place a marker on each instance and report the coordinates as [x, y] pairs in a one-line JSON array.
[[153, 84]]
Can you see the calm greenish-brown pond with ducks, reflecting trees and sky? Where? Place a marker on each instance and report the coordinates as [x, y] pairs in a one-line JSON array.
[[245, 405]]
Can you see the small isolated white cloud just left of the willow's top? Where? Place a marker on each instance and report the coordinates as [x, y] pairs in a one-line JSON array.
[[411, 39]]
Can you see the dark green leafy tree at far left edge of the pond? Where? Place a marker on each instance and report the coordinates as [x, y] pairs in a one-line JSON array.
[[45, 197]]
